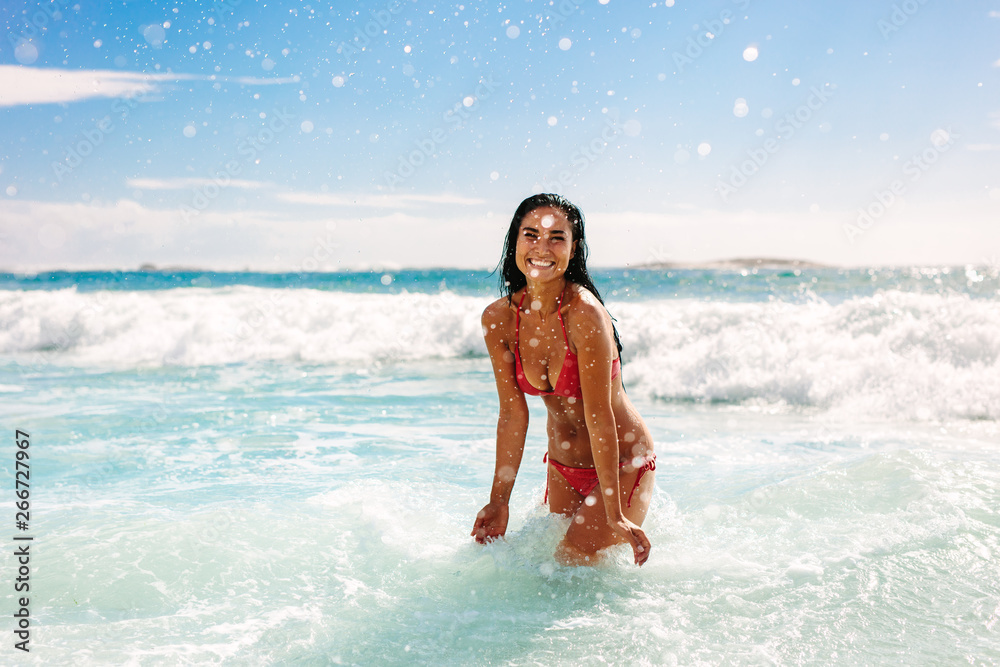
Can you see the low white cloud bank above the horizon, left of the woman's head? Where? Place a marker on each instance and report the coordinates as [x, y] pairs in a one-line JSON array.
[[126, 234]]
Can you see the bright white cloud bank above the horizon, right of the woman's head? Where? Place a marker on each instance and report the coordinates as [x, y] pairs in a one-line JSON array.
[[906, 235]]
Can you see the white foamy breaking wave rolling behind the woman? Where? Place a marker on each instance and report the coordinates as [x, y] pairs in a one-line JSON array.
[[920, 356]]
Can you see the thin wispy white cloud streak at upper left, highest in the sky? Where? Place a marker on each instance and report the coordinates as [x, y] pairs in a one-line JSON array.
[[21, 85]]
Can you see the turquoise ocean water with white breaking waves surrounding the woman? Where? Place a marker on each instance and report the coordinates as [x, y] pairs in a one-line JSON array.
[[250, 468]]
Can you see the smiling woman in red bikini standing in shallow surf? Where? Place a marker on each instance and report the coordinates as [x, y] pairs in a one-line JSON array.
[[552, 337]]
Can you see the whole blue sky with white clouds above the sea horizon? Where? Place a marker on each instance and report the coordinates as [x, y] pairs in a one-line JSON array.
[[322, 136]]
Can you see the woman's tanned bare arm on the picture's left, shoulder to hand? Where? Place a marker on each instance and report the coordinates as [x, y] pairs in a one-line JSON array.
[[512, 424]]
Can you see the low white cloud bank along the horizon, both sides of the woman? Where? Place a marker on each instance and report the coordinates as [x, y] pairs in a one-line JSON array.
[[125, 234]]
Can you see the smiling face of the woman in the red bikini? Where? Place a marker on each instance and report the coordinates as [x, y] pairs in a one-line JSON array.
[[544, 244]]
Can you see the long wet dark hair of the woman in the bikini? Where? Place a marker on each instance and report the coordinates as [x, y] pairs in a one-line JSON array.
[[511, 277]]
